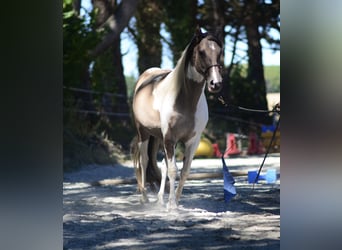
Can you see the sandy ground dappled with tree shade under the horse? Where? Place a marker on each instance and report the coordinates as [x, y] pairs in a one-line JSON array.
[[112, 217]]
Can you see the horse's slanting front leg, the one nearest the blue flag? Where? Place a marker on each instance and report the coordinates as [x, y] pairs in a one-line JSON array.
[[190, 148]]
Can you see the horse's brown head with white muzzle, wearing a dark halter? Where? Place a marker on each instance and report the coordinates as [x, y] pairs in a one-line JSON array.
[[205, 59]]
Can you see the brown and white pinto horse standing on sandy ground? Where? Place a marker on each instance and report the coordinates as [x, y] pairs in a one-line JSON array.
[[170, 106]]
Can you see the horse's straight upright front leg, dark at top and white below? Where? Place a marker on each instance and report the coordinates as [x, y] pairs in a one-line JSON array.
[[171, 171]]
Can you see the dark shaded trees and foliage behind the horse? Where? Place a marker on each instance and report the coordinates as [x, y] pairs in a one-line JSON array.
[[98, 126]]
